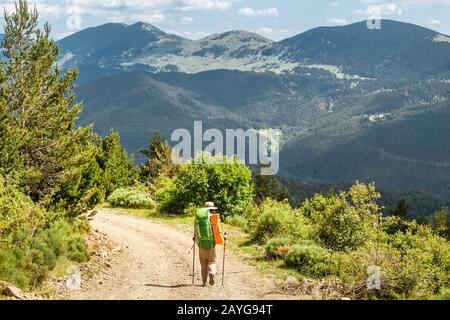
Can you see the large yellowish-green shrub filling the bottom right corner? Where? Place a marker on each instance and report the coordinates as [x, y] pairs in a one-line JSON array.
[[414, 264]]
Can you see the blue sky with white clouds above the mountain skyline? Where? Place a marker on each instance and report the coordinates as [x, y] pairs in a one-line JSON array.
[[273, 19]]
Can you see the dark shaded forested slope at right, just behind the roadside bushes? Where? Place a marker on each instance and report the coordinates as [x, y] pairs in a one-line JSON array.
[[411, 152]]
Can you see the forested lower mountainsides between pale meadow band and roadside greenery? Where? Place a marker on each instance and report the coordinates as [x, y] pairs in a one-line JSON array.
[[396, 136]]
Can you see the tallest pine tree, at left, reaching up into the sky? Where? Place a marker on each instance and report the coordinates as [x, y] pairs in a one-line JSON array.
[[39, 107]]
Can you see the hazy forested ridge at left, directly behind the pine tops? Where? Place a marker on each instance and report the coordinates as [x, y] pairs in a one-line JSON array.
[[137, 105]]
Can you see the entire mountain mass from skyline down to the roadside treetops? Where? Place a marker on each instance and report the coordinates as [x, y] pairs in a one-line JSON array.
[[352, 103]]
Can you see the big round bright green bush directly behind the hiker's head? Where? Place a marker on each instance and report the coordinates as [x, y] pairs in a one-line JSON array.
[[227, 182]]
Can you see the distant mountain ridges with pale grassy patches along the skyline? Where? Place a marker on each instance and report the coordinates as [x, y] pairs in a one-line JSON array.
[[397, 50]]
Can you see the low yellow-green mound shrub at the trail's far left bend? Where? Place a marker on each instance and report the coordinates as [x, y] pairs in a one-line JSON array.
[[131, 198]]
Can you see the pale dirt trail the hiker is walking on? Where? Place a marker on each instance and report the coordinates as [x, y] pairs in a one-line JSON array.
[[158, 265]]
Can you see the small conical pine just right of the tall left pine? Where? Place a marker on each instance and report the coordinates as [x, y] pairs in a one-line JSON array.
[[118, 168]]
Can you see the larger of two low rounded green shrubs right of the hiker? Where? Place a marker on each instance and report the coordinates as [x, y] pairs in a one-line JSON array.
[[309, 259]]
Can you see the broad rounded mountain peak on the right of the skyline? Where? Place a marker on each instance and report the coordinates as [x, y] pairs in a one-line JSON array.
[[397, 50]]
